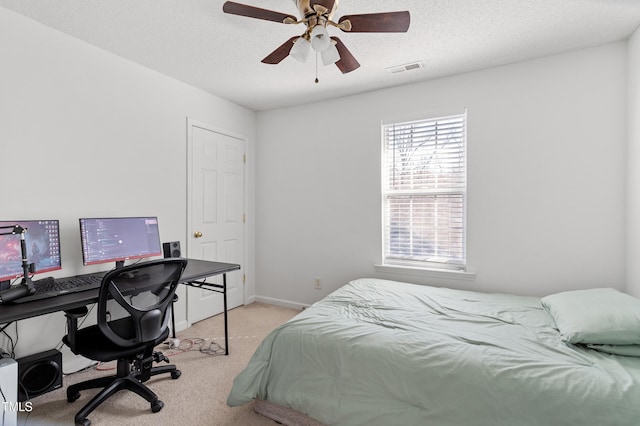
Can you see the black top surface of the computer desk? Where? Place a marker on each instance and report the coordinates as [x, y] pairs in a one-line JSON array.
[[196, 270]]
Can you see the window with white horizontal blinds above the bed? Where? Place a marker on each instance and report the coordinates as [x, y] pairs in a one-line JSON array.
[[424, 192]]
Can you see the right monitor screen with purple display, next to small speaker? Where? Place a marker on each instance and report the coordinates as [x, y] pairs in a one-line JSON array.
[[117, 239]]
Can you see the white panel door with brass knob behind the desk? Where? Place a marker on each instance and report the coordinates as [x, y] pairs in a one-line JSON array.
[[215, 214]]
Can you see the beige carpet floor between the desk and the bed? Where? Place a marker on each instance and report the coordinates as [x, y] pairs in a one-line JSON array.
[[198, 397]]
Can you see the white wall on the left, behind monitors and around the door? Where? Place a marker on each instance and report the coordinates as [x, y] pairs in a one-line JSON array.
[[86, 133]]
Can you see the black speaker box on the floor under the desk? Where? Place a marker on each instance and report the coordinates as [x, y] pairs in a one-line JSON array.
[[39, 373]]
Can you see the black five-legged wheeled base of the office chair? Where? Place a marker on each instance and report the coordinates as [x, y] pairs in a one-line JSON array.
[[126, 379]]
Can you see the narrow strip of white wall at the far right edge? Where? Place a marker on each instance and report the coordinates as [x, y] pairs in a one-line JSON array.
[[633, 188]]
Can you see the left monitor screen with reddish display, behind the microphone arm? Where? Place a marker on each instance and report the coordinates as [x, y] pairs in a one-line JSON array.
[[42, 241]]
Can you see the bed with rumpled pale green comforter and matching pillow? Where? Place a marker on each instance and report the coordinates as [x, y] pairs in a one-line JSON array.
[[377, 352]]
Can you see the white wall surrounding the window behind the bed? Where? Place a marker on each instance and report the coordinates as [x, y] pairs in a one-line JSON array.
[[546, 191]]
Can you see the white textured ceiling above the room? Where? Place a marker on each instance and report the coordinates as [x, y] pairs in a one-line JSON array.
[[194, 41]]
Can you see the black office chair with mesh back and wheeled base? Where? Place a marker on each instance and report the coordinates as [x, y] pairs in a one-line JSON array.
[[128, 329]]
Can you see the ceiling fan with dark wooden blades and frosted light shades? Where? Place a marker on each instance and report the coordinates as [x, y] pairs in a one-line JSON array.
[[316, 15]]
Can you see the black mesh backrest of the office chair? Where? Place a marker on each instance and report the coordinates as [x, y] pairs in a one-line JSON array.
[[145, 292]]
